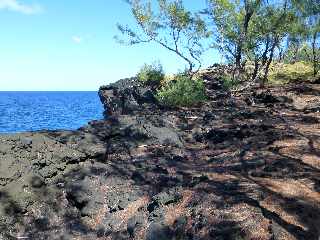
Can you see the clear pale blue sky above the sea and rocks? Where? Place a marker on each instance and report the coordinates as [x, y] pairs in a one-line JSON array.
[[69, 45]]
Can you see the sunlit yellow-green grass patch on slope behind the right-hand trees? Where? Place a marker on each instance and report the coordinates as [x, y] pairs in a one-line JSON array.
[[285, 73]]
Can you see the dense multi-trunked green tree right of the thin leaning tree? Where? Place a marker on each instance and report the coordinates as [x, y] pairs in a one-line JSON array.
[[251, 30]]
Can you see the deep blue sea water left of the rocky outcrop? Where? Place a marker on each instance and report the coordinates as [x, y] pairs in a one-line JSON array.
[[30, 111]]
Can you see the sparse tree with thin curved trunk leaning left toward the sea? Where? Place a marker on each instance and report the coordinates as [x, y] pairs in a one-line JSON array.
[[170, 25]]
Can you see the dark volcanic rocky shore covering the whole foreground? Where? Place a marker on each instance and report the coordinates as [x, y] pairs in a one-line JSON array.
[[243, 165]]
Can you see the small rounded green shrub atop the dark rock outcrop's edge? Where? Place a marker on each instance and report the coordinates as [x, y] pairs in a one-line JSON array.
[[151, 75]]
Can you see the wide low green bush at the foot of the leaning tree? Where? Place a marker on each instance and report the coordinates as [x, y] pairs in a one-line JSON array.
[[182, 91]]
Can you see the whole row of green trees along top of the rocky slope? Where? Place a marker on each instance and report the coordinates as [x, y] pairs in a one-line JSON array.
[[246, 32]]
